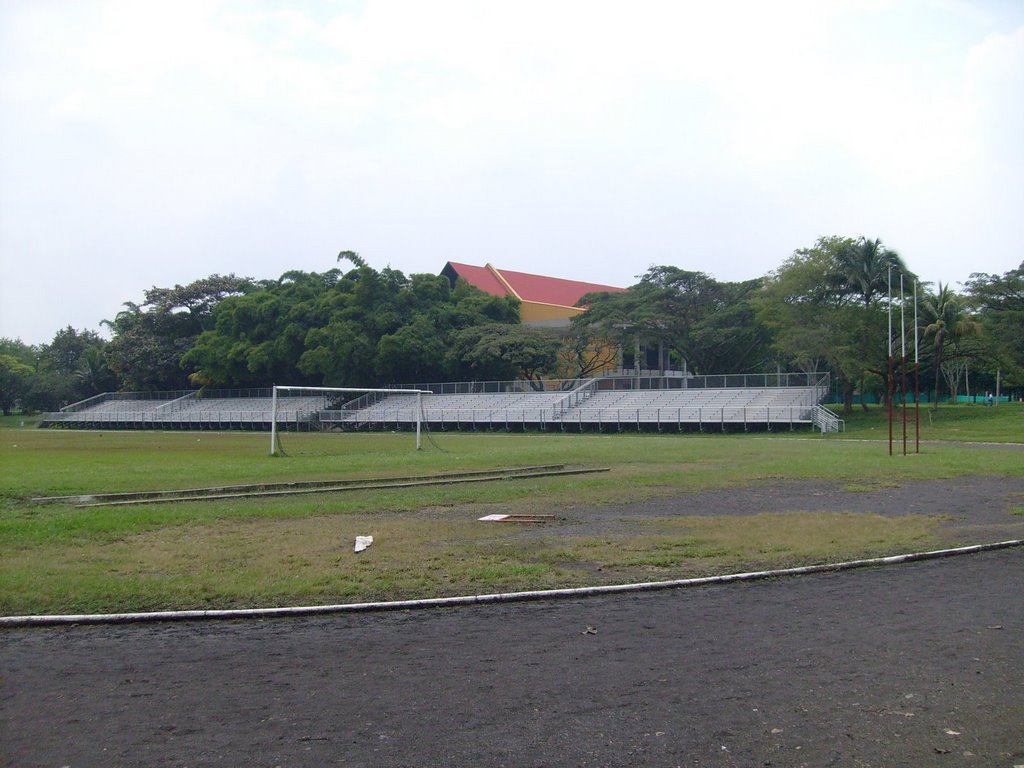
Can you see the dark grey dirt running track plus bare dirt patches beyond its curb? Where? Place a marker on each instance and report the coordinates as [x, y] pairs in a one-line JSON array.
[[919, 665]]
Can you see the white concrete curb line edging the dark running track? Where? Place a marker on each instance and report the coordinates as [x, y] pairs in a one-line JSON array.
[[507, 598]]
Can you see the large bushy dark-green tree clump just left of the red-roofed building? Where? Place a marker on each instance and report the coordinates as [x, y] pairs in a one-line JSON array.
[[336, 329]]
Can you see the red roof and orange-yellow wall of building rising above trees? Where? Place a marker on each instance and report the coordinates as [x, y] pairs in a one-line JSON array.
[[544, 302]]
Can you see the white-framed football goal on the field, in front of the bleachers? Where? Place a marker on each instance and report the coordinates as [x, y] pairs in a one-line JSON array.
[[342, 406]]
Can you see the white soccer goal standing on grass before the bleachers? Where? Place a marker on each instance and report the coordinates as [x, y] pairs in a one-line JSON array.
[[290, 404]]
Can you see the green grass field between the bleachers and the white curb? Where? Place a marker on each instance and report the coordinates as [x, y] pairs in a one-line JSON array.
[[56, 559]]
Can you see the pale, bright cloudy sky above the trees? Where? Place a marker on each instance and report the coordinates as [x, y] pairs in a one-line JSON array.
[[154, 144]]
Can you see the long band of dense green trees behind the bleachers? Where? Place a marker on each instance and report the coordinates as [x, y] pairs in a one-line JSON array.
[[826, 309]]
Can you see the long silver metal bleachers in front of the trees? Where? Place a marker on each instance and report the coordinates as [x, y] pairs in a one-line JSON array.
[[608, 404]]
